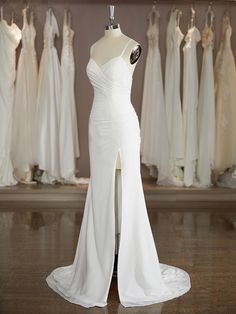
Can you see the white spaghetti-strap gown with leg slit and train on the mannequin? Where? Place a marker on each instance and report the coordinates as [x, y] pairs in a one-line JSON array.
[[142, 280]]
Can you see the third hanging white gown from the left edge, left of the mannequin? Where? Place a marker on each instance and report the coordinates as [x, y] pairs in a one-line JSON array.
[[48, 103]]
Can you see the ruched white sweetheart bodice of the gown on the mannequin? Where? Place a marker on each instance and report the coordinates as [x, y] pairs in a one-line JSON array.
[[112, 82]]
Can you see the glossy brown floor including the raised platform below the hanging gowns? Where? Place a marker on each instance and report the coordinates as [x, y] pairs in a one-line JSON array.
[[34, 240]]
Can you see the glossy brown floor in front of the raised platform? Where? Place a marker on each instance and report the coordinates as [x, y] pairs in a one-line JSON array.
[[34, 243]]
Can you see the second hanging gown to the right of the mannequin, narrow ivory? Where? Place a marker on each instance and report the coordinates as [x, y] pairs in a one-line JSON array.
[[172, 94]]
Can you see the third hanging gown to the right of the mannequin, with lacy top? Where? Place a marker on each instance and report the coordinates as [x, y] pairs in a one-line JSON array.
[[190, 102]]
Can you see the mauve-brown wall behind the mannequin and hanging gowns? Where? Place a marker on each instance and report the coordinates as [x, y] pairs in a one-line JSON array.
[[89, 20]]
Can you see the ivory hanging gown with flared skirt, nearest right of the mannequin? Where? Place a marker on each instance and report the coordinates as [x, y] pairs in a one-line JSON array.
[[154, 137]]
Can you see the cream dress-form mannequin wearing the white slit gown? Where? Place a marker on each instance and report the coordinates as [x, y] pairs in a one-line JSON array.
[[106, 48]]
